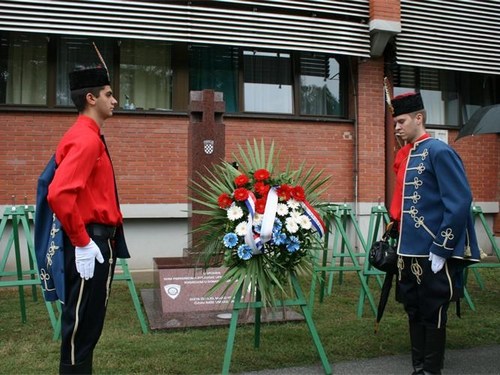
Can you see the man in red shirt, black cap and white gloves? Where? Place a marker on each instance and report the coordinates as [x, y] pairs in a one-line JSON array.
[[83, 197]]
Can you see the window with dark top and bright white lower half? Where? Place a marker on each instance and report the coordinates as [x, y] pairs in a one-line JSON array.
[[267, 82]]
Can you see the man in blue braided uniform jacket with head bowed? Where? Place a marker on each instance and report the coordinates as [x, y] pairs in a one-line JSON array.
[[432, 205]]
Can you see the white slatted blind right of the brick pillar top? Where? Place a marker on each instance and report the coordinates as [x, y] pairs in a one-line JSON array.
[[461, 35]]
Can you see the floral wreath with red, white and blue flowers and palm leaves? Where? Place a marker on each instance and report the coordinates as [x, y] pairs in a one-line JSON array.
[[262, 225]]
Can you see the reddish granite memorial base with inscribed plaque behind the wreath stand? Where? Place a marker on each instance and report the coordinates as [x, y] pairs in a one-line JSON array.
[[180, 298]]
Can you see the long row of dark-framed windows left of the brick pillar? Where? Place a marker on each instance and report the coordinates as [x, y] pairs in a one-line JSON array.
[[154, 75]]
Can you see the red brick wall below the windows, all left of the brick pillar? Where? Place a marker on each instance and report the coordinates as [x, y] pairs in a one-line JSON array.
[[150, 152]]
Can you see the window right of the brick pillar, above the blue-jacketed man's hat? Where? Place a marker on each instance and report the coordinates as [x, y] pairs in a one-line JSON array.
[[450, 98]]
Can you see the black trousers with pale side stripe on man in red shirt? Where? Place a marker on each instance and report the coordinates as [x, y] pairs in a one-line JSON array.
[[84, 310]]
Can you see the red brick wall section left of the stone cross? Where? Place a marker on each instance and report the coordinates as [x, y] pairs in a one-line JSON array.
[[148, 152]]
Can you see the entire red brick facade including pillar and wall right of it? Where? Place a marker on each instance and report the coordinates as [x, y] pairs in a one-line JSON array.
[[150, 151]]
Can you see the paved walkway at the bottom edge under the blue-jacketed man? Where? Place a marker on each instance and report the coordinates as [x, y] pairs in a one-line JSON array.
[[483, 360]]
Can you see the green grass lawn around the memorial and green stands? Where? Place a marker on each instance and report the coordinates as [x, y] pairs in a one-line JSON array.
[[28, 348]]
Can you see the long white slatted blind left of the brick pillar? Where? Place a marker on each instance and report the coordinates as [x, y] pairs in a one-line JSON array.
[[329, 26]]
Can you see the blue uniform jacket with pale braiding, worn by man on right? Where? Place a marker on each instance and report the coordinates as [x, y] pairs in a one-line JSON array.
[[436, 213]]
